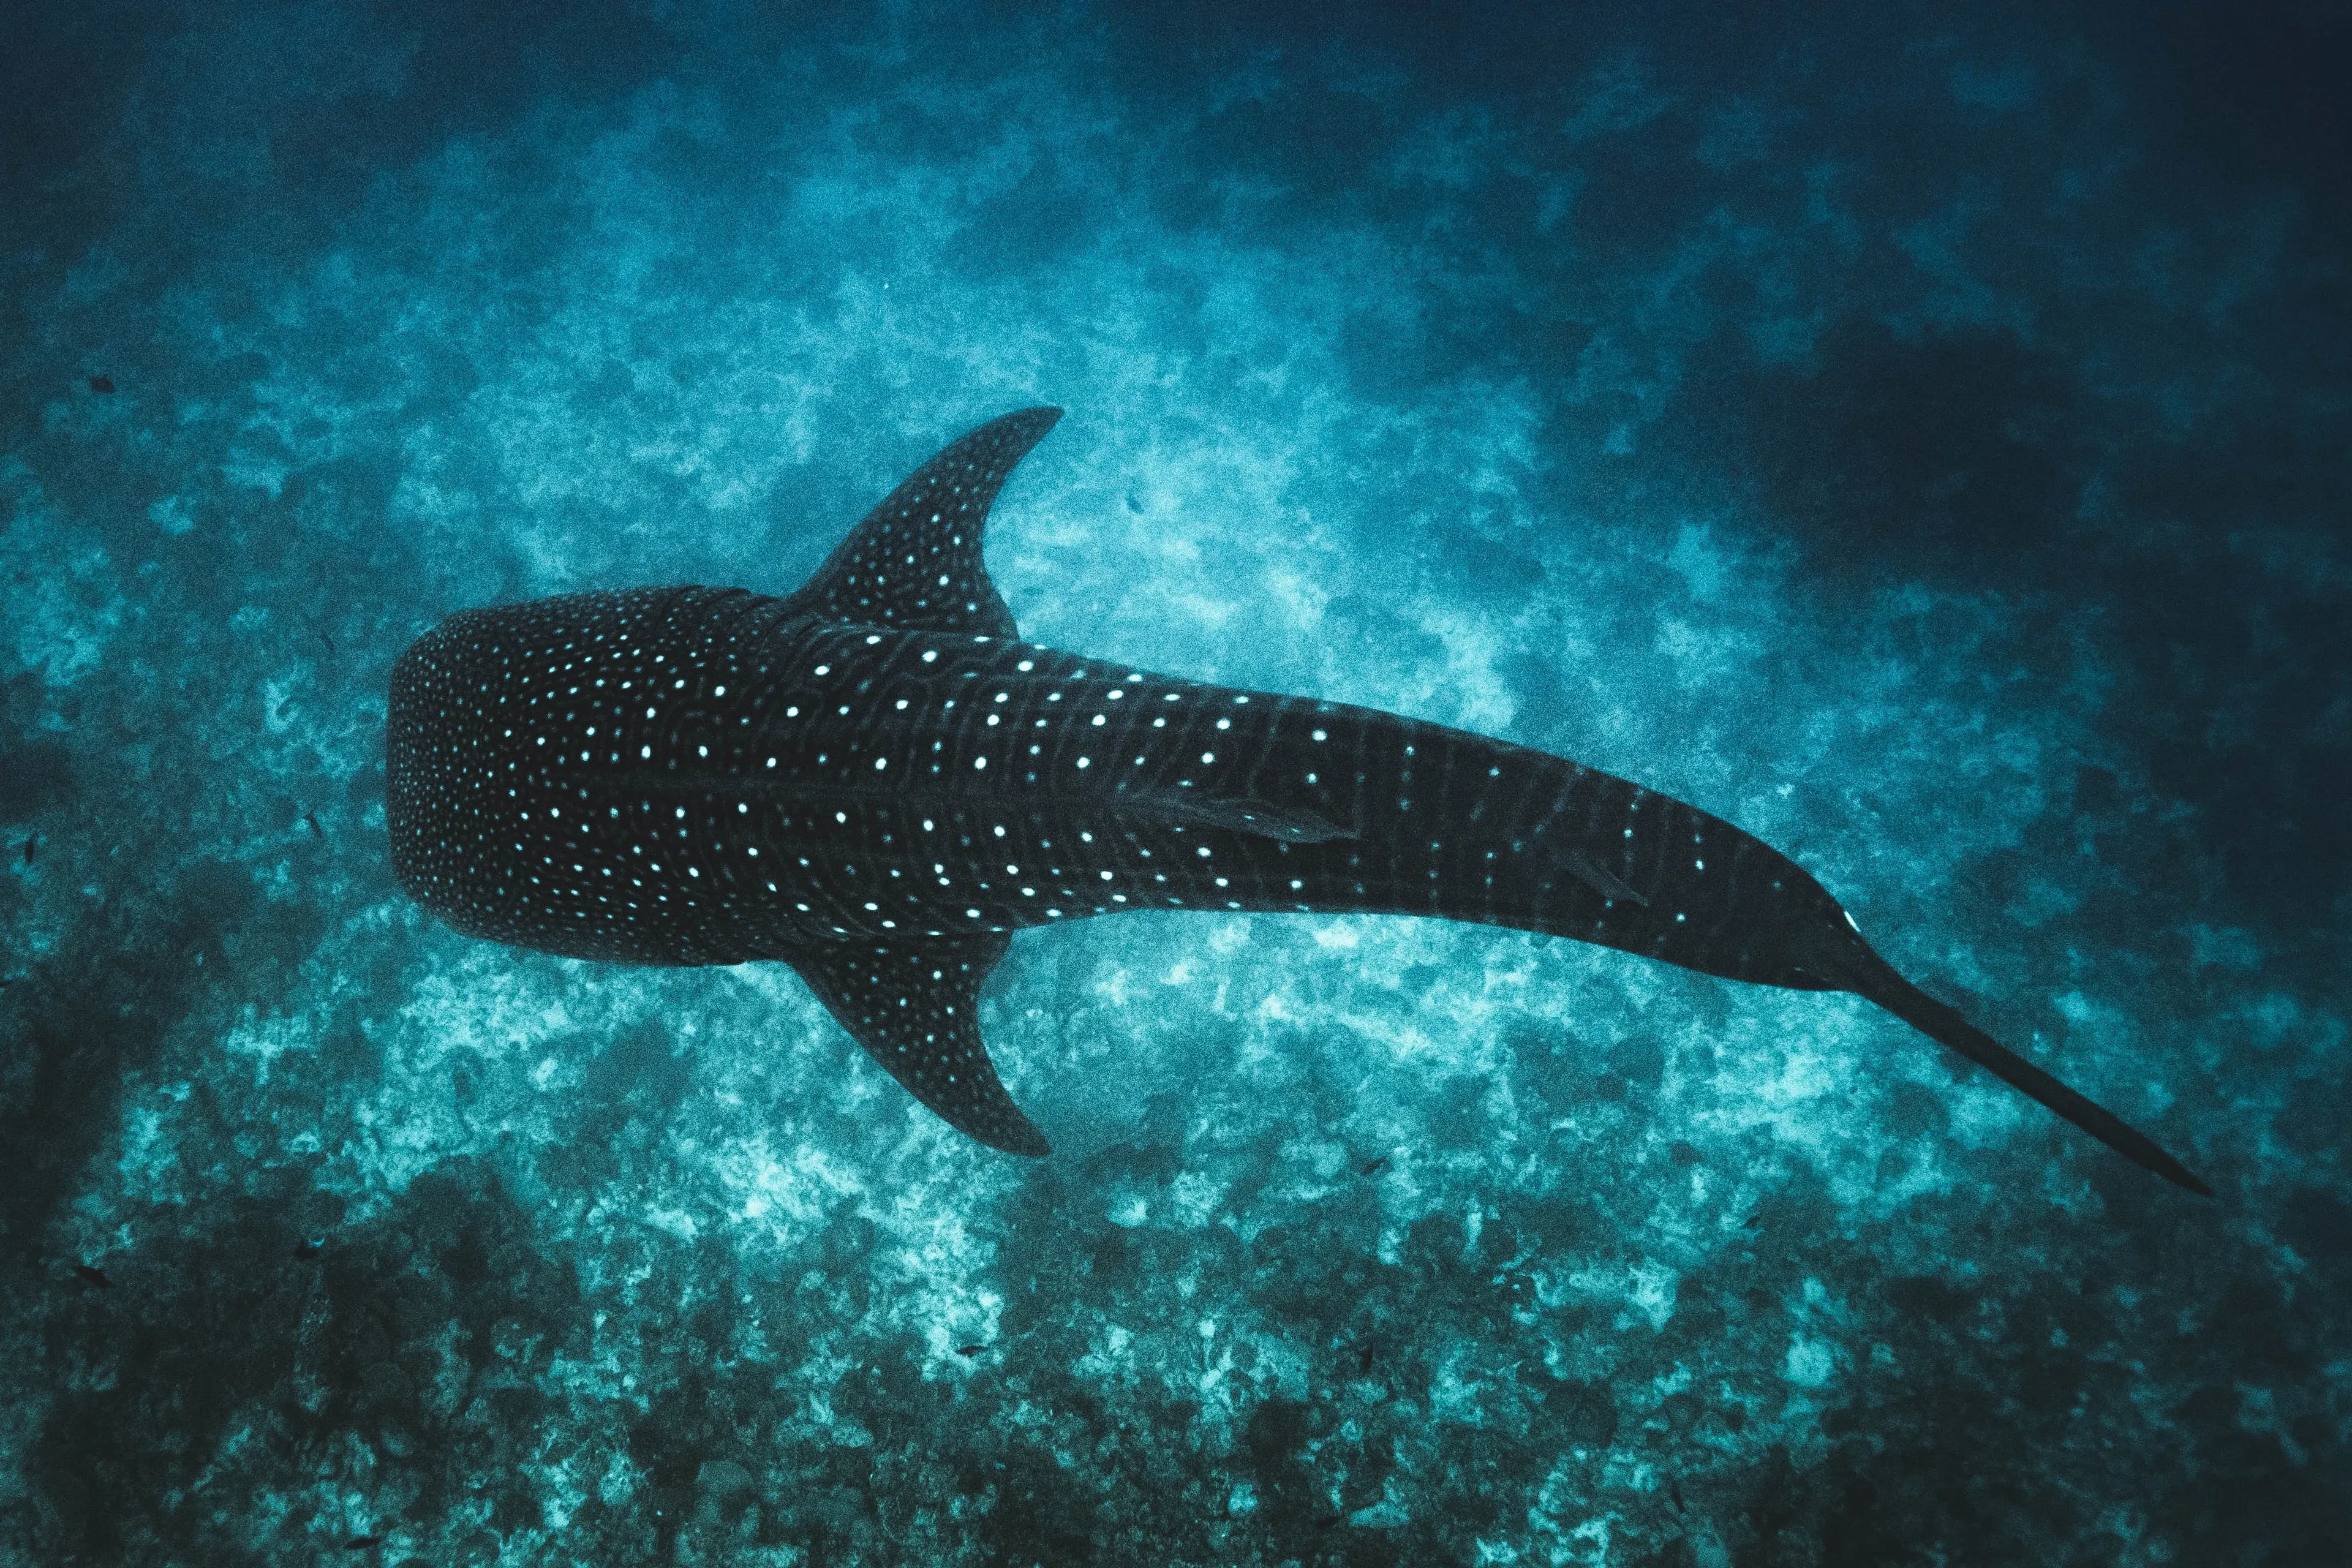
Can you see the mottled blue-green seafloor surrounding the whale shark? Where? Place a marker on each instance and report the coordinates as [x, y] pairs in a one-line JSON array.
[[1916, 434]]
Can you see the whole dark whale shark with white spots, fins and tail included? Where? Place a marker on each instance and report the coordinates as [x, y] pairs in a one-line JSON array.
[[876, 782]]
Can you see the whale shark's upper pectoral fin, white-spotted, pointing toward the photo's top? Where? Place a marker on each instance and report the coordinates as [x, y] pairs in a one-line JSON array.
[[916, 561]]
